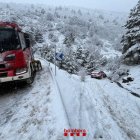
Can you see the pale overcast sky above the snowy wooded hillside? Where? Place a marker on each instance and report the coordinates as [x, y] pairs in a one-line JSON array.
[[111, 5]]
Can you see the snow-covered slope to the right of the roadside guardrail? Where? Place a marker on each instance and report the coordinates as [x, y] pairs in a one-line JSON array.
[[104, 109]]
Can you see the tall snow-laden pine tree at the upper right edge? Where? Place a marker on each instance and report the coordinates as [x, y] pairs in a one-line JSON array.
[[131, 39]]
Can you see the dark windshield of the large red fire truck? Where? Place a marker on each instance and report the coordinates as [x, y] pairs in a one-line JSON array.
[[8, 40]]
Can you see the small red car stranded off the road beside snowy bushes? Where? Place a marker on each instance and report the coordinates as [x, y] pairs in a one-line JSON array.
[[98, 74]]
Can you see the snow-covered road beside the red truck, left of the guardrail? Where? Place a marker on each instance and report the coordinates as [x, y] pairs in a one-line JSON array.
[[32, 113]]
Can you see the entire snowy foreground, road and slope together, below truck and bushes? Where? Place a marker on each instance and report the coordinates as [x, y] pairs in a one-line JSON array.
[[54, 103]]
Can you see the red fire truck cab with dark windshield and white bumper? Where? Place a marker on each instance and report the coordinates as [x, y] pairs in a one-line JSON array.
[[15, 54]]
